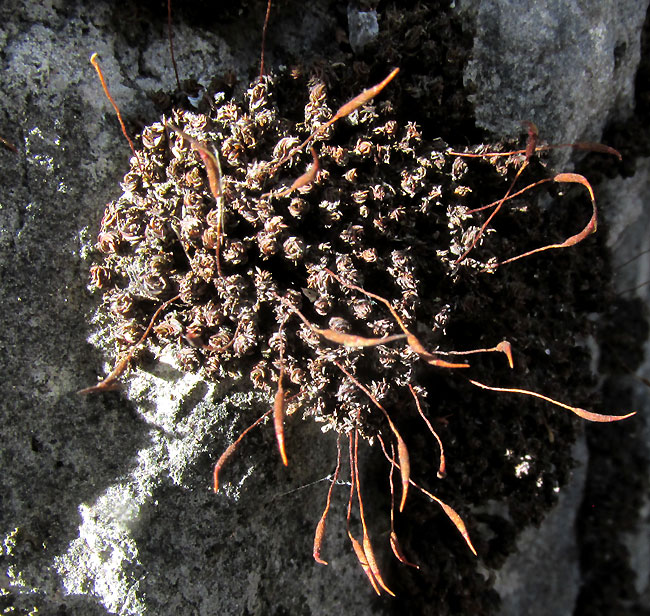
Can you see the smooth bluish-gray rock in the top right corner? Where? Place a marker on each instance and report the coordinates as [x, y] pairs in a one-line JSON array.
[[568, 67]]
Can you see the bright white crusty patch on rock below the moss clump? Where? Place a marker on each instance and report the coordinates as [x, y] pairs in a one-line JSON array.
[[103, 559]]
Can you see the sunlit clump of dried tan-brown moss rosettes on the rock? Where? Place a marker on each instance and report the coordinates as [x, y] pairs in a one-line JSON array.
[[387, 212]]
